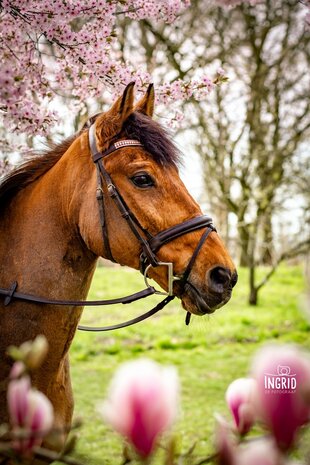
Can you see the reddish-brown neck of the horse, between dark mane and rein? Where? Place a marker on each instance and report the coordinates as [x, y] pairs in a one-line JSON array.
[[41, 247]]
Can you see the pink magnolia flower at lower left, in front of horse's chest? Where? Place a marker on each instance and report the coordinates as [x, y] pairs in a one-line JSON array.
[[31, 415]]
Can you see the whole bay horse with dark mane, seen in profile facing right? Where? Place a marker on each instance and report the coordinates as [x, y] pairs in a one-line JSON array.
[[51, 236]]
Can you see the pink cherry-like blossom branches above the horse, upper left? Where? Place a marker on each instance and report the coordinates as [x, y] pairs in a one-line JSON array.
[[70, 49]]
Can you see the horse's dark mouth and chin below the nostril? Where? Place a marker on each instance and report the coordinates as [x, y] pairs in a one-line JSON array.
[[195, 302]]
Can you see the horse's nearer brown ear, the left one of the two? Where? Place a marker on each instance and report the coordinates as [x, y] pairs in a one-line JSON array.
[[110, 123]]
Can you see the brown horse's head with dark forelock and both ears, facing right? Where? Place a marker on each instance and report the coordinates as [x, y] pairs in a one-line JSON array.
[[146, 178]]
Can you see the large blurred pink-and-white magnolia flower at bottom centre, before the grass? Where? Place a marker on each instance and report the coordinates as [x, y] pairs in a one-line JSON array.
[[142, 403]]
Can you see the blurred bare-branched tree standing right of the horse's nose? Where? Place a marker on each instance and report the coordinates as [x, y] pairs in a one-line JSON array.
[[249, 155]]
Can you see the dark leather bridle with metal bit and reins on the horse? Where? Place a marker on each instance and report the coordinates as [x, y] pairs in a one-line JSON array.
[[149, 245]]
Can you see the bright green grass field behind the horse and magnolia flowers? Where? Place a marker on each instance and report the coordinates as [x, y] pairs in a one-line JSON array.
[[208, 354]]
